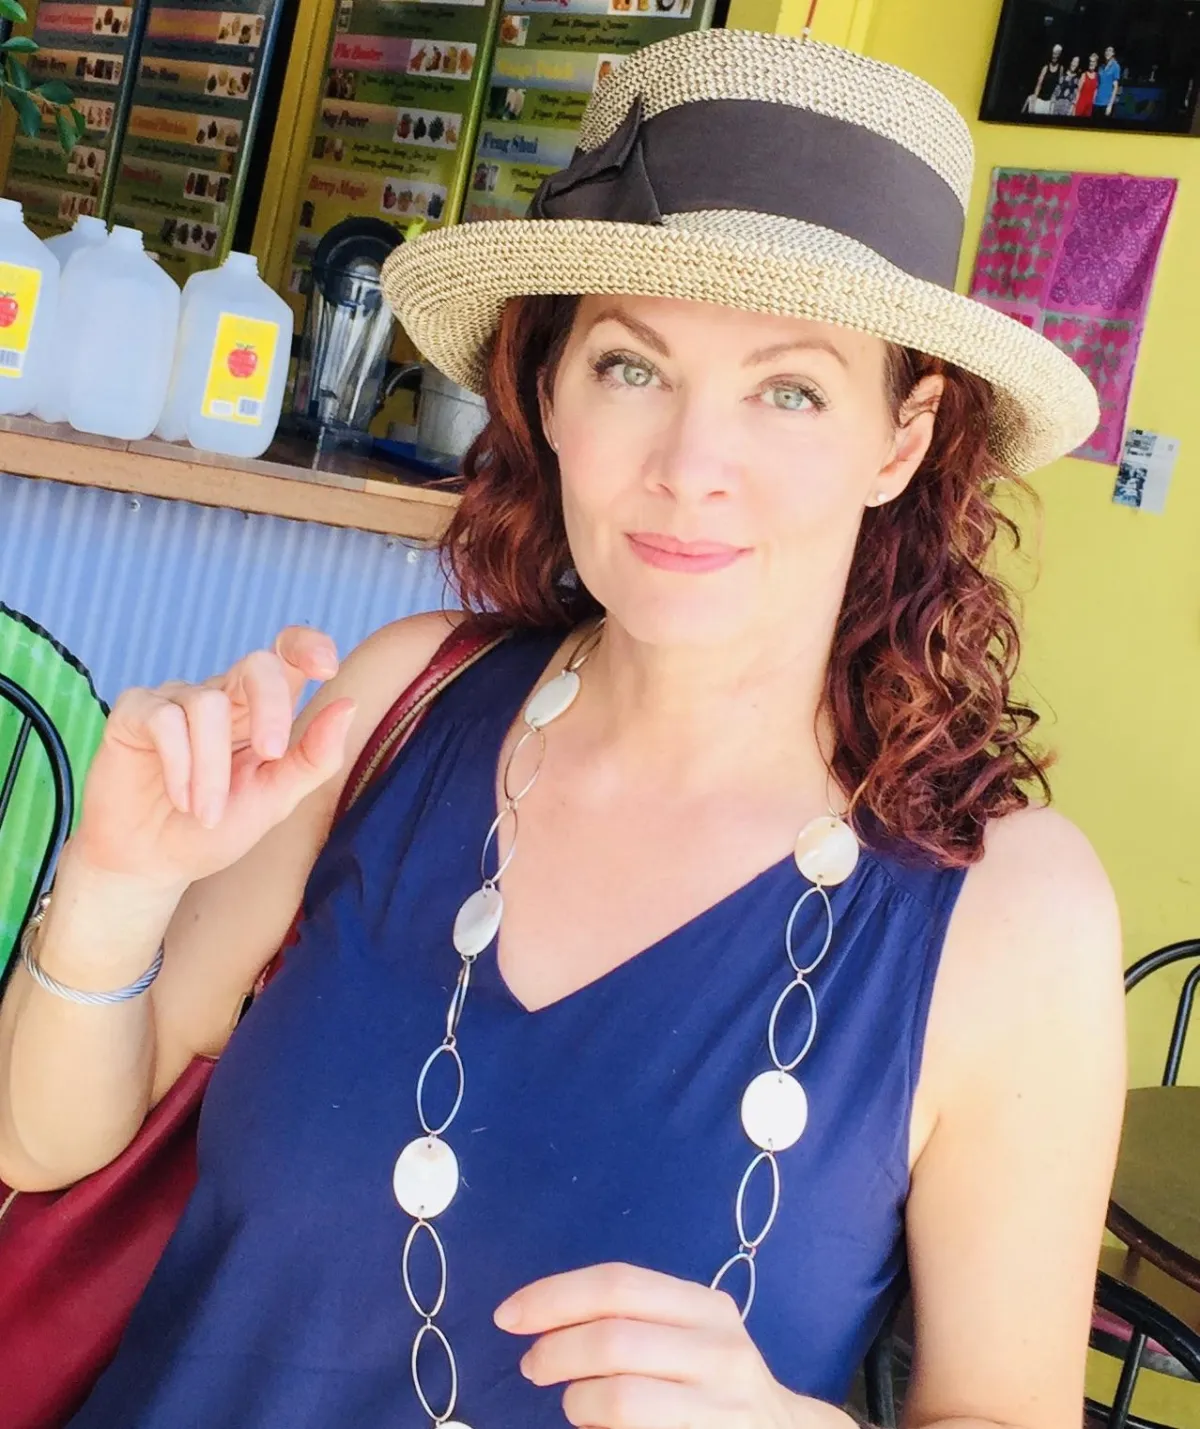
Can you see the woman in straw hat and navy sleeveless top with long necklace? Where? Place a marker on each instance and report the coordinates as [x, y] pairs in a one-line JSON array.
[[664, 1158]]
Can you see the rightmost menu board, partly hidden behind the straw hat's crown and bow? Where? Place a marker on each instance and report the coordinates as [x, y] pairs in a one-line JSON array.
[[549, 58]]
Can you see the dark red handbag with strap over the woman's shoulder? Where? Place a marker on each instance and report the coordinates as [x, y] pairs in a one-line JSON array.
[[75, 1263]]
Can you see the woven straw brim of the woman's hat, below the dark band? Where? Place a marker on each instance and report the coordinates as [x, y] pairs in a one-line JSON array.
[[449, 288]]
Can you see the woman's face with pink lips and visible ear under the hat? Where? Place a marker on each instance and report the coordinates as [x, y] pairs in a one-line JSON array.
[[716, 465]]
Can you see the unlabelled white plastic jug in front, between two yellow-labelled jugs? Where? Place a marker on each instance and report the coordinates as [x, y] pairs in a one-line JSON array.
[[124, 311]]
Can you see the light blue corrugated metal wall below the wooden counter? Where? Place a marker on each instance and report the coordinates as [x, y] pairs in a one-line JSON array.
[[144, 591]]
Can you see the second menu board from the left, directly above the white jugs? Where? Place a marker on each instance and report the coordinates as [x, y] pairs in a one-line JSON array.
[[192, 116]]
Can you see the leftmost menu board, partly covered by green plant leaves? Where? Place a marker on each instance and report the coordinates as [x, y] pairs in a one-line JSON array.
[[88, 48]]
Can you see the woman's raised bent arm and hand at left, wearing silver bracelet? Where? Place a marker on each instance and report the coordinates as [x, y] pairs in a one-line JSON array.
[[78, 1081]]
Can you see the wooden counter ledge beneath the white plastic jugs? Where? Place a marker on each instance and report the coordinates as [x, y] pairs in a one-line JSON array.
[[356, 492]]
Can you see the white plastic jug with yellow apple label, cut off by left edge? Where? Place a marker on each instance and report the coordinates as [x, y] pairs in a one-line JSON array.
[[29, 298]]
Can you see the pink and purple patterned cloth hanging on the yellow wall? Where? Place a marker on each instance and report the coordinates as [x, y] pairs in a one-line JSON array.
[[1074, 257]]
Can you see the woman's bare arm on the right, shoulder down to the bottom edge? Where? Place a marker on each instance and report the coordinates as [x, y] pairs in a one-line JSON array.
[[1025, 1070]]
